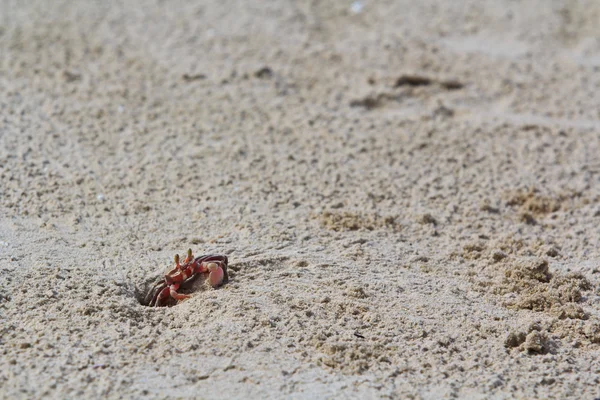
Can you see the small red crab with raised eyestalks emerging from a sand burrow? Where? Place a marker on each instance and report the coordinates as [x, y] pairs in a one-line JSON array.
[[189, 269]]
